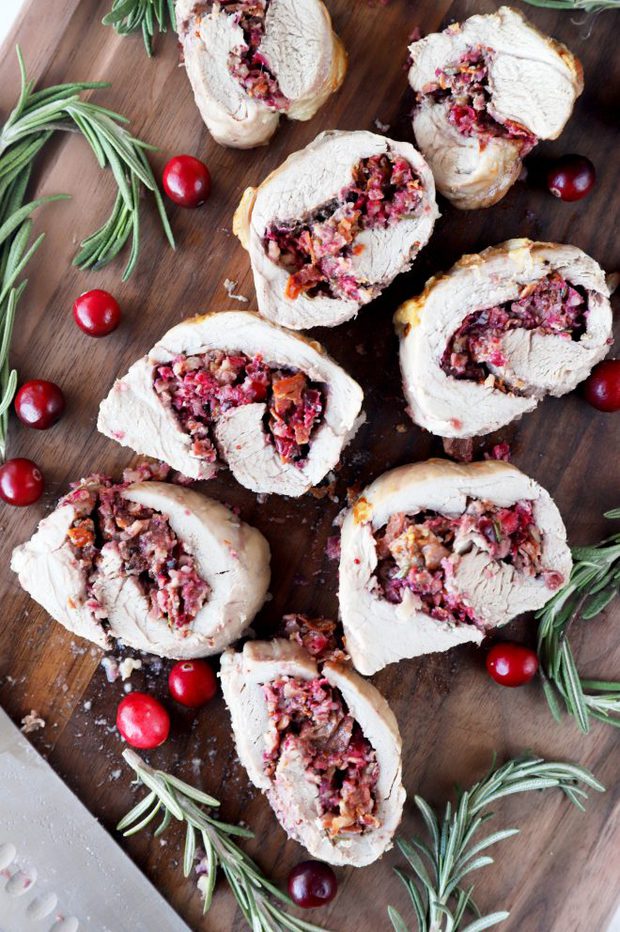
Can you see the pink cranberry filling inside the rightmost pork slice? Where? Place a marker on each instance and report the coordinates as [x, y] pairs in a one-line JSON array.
[[549, 306]]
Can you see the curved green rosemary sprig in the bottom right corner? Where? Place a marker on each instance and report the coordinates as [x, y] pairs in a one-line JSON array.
[[440, 863]]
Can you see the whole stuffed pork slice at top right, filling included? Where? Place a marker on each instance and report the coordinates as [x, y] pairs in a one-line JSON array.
[[487, 91]]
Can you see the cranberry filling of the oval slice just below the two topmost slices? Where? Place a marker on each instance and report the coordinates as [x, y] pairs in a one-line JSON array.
[[318, 250]]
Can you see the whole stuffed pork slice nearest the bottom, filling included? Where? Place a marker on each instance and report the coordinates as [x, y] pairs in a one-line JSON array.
[[321, 742]]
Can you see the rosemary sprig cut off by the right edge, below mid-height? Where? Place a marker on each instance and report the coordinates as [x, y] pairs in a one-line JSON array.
[[593, 583]]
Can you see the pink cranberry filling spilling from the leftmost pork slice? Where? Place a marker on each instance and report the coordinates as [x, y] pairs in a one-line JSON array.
[[146, 544]]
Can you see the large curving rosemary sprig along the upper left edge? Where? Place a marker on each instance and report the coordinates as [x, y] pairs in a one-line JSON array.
[[35, 117]]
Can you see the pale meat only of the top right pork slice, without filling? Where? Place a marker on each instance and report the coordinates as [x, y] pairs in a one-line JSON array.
[[533, 81]]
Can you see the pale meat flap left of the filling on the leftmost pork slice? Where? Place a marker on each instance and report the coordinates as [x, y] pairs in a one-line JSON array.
[[48, 571]]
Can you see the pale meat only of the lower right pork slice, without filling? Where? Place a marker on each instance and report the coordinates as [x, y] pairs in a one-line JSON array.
[[379, 632]]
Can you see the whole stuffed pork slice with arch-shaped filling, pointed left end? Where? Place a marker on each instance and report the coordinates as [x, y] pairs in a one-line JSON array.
[[232, 388]]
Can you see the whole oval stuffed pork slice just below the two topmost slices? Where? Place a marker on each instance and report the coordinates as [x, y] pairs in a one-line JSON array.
[[334, 225]]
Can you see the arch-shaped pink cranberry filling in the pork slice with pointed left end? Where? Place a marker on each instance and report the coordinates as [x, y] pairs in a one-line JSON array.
[[201, 388]]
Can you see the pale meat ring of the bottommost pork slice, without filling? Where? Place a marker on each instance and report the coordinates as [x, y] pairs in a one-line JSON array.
[[292, 796]]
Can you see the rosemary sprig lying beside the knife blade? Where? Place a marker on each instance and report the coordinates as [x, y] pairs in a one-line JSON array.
[[173, 798]]
